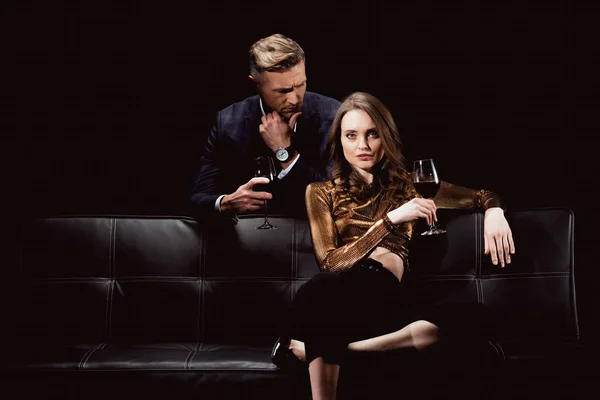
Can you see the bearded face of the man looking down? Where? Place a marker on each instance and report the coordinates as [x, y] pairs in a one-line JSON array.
[[283, 91]]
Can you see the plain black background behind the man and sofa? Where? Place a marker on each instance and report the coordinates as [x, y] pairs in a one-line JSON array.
[[104, 105]]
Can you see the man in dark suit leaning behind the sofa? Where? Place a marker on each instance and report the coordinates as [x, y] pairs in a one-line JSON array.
[[283, 121]]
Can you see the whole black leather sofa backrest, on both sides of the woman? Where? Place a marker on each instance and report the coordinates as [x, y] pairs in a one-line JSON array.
[[96, 279]]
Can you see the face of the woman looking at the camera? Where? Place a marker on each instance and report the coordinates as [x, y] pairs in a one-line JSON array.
[[360, 141]]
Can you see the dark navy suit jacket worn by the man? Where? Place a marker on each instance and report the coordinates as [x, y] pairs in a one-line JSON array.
[[227, 159]]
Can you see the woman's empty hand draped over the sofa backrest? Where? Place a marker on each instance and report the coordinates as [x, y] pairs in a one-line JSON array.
[[498, 241]]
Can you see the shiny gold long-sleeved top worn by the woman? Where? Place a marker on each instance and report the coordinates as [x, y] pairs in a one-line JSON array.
[[345, 230]]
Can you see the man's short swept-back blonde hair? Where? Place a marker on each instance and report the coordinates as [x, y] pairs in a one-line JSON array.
[[274, 53]]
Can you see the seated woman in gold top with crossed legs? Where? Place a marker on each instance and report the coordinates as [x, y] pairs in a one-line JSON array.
[[361, 223]]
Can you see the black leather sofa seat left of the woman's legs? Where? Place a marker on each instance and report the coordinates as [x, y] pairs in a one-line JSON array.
[[152, 371]]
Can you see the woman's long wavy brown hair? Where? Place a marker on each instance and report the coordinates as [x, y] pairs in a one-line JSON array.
[[391, 178]]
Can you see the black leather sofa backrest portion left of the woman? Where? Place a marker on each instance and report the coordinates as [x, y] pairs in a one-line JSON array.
[[158, 279]]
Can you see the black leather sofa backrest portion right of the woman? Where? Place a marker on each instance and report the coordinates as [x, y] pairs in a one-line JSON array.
[[531, 298]]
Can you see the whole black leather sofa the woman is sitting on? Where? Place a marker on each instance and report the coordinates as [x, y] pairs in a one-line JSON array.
[[110, 306]]
